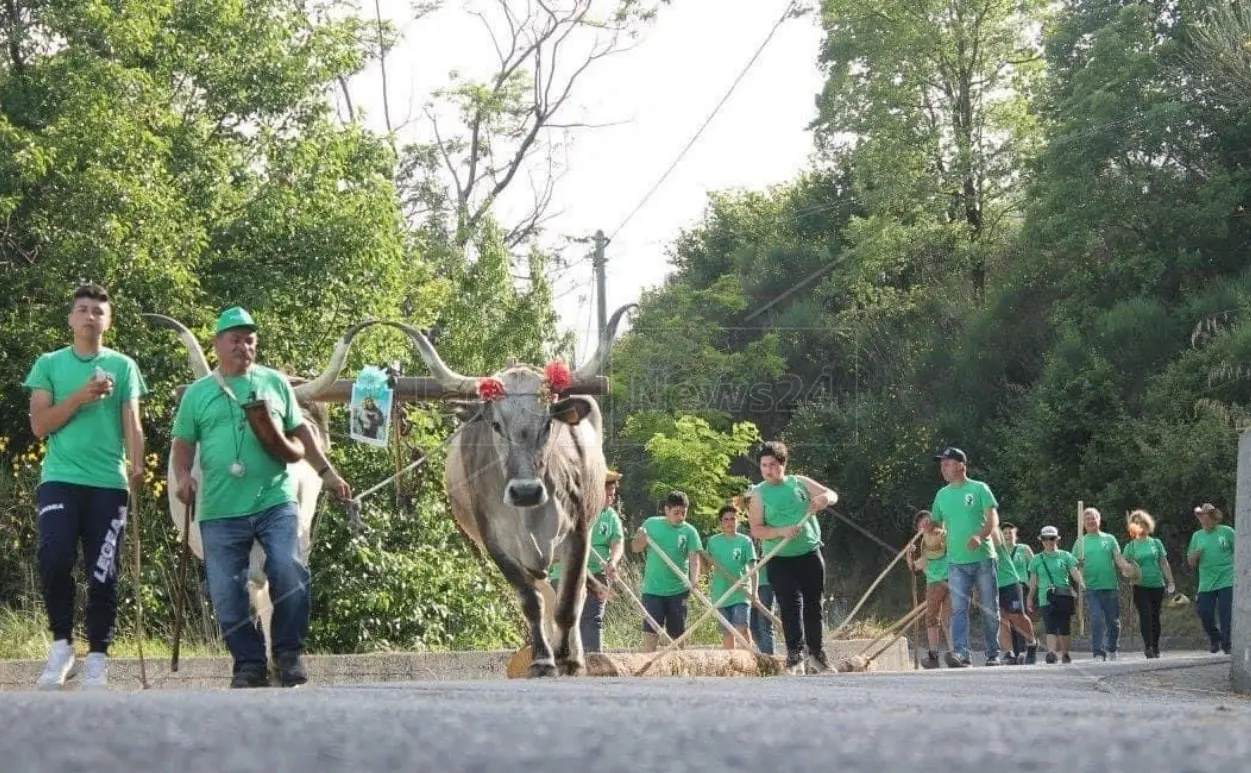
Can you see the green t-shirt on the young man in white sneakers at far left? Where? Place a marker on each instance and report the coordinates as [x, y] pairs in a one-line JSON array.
[[91, 450]]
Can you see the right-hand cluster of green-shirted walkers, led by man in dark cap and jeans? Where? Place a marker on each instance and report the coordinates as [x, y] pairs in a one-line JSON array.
[[963, 547]]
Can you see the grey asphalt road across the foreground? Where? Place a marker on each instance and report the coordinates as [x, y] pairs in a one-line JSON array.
[[1081, 717]]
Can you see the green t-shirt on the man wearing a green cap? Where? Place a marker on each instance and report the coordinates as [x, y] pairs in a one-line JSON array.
[[208, 417]]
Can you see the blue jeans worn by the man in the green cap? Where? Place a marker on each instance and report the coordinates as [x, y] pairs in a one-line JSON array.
[[227, 548]]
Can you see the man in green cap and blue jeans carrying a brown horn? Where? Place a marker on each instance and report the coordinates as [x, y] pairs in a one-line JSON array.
[[248, 496]]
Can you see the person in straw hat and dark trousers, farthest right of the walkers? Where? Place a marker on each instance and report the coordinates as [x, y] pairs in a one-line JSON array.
[[1212, 550]]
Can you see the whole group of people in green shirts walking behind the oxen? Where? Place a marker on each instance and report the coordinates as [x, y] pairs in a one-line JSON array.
[[968, 556]]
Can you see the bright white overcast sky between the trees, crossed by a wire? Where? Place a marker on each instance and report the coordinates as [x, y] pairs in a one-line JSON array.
[[657, 96]]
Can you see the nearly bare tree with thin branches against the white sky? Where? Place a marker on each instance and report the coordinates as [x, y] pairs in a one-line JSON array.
[[510, 126]]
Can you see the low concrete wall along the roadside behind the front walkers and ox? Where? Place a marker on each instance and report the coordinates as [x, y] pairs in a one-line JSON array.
[[215, 674]]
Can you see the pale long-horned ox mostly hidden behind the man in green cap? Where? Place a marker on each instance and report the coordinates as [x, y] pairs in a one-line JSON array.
[[308, 483]]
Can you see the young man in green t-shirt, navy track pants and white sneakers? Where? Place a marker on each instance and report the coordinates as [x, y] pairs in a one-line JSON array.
[[84, 402]]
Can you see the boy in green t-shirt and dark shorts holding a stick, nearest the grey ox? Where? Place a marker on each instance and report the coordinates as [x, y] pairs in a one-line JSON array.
[[665, 594]]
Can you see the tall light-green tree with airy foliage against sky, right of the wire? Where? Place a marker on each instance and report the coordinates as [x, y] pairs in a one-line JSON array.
[[929, 104]]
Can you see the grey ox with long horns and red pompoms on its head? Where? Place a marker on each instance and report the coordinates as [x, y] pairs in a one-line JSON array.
[[526, 480]]
